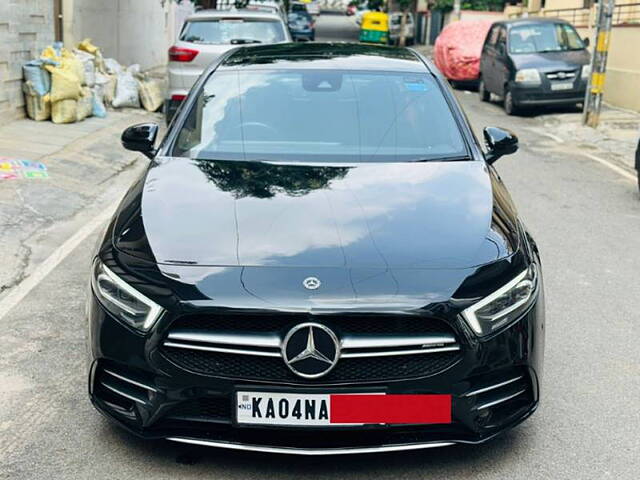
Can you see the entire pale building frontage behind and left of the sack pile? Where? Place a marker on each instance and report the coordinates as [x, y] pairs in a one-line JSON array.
[[131, 31]]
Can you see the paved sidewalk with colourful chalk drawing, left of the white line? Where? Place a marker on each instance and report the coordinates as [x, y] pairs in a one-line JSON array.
[[53, 178]]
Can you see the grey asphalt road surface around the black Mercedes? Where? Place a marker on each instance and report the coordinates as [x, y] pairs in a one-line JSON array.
[[586, 219]]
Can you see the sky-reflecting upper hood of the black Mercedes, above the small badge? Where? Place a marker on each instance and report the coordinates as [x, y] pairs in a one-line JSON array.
[[371, 216]]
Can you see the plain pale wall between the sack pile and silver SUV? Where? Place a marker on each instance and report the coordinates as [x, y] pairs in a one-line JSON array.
[[131, 31]]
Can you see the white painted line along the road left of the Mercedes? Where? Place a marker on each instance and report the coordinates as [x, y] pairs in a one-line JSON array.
[[20, 291]]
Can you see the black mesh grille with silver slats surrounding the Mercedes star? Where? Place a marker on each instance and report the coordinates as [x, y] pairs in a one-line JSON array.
[[248, 348]]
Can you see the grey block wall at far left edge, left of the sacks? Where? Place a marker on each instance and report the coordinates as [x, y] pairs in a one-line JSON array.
[[26, 27]]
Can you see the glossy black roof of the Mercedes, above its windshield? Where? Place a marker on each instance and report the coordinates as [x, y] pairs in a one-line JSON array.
[[336, 56]]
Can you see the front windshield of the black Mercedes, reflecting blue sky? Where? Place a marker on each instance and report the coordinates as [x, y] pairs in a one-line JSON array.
[[320, 116]]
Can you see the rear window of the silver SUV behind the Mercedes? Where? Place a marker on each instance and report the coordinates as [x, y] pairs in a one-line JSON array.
[[224, 30]]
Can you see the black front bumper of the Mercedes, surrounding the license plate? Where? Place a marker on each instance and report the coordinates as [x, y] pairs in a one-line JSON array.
[[494, 386]]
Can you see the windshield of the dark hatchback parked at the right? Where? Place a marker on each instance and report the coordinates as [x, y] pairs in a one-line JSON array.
[[544, 37]]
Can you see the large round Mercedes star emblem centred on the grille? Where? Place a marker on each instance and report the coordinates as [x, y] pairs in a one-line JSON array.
[[310, 350]]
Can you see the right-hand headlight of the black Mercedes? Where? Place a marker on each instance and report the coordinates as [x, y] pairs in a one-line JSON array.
[[503, 306]]
